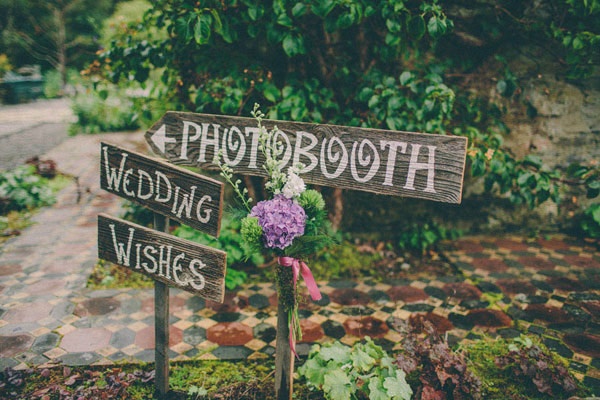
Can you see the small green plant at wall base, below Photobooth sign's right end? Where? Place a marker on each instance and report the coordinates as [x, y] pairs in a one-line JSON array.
[[422, 237]]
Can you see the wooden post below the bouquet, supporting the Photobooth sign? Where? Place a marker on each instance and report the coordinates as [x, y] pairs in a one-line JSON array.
[[284, 360]]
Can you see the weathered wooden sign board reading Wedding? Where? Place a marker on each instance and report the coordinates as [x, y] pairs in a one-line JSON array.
[[174, 192]]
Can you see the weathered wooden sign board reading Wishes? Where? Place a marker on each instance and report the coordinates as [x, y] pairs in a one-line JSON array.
[[176, 262]]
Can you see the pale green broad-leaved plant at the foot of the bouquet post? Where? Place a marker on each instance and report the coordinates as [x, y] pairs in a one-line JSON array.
[[343, 372]]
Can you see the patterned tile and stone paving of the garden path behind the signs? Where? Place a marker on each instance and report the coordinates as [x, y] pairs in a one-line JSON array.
[[502, 286]]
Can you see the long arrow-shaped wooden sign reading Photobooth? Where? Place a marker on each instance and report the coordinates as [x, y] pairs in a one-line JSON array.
[[380, 161]]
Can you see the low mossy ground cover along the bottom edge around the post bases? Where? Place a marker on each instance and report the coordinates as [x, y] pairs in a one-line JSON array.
[[188, 380]]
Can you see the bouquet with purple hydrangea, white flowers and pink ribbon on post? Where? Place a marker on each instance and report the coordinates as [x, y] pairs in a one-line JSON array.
[[290, 225]]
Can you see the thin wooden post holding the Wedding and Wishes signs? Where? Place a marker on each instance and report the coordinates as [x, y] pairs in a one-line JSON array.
[[161, 323]]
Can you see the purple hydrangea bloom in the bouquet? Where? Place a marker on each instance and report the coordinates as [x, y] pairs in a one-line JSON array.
[[282, 220]]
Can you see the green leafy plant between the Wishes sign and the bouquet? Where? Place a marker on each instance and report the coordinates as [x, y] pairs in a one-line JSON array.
[[230, 241]]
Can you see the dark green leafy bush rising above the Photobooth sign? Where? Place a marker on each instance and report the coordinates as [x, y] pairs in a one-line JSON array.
[[306, 61]]
